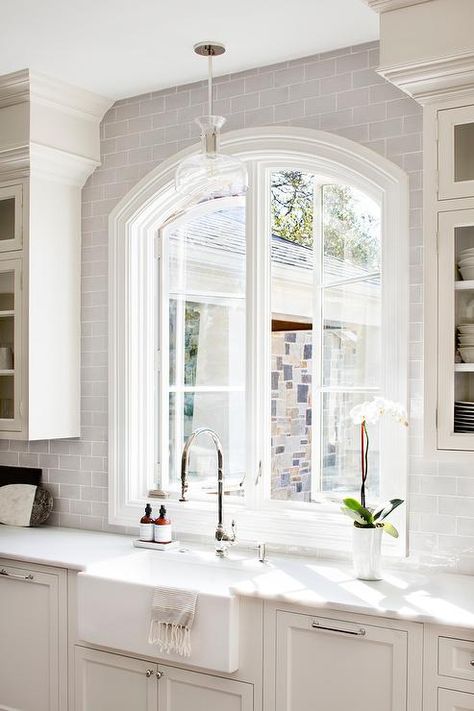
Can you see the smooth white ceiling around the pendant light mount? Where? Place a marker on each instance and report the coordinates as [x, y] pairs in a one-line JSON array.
[[121, 48]]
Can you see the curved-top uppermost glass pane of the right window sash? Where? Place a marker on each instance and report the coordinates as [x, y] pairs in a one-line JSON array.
[[351, 234]]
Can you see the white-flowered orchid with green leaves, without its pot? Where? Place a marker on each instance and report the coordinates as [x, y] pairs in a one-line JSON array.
[[365, 516]]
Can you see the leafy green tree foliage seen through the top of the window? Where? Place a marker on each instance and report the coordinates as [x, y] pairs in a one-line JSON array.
[[350, 230]]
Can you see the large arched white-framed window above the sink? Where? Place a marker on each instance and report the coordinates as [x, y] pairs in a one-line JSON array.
[[266, 318]]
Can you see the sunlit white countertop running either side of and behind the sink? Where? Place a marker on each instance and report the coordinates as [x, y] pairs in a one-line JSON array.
[[435, 597]]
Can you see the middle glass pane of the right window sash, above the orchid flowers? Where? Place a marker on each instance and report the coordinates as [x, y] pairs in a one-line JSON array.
[[351, 336]]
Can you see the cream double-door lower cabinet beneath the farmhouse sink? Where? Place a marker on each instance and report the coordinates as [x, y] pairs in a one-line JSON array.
[[112, 682]]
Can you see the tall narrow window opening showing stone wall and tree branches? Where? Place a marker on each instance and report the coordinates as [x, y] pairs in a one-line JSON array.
[[292, 296]]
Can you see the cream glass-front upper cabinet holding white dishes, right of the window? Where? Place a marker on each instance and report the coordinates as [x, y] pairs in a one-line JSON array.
[[449, 277]]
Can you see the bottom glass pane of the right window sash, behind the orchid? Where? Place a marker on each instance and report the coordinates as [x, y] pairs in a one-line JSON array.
[[341, 447]]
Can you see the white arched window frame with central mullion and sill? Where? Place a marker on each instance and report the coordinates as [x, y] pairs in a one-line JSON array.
[[134, 265]]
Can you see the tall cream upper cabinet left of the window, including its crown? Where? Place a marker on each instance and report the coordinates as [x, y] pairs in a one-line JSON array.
[[49, 146]]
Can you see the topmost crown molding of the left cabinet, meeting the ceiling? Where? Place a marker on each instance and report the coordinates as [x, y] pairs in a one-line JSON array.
[[27, 86]]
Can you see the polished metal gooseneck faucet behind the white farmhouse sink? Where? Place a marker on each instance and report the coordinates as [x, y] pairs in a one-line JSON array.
[[222, 537]]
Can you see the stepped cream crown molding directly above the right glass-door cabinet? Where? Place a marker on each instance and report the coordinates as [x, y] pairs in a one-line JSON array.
[[433, 79]]
